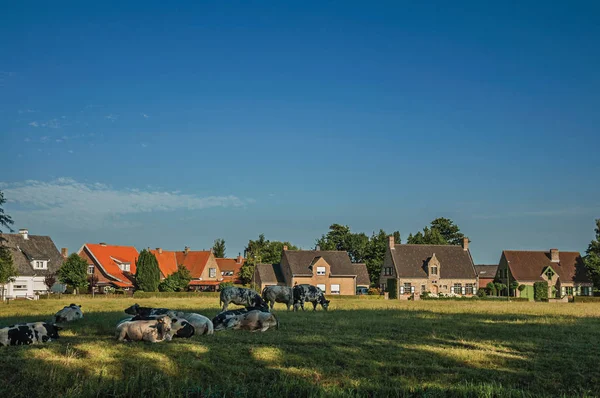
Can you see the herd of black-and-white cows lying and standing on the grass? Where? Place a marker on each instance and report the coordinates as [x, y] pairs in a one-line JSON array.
[[164, 324]]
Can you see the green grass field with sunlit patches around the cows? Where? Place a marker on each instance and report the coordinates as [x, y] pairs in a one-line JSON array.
[[358, 348]]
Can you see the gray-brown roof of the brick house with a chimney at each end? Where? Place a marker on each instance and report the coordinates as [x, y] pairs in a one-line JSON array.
[[411, 261]]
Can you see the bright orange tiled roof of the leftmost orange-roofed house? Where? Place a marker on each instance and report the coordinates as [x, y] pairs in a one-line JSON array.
[[105, 256]]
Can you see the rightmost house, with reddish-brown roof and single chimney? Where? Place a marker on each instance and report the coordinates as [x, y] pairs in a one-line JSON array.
[[565, 272]]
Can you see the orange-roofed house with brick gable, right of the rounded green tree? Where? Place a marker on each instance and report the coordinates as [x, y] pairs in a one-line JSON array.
[[203, 266]]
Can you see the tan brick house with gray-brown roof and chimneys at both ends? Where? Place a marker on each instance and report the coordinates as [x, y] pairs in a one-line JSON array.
[[429, 268]]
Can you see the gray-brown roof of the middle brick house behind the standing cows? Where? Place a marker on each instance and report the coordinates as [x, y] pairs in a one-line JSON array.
[[300, 260]]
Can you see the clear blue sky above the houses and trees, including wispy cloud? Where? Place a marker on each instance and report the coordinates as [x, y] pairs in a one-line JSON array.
[[170, 125]]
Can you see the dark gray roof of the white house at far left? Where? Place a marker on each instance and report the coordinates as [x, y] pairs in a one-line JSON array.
[[34, 248]]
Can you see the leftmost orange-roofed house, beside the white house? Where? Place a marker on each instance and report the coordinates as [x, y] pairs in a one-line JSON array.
[[110, 266]]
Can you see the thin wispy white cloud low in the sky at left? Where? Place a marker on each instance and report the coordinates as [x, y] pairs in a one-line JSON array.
[[67, 201]]
